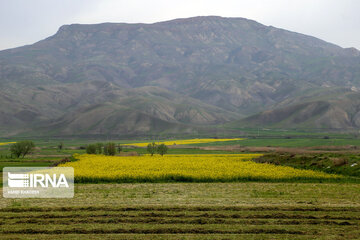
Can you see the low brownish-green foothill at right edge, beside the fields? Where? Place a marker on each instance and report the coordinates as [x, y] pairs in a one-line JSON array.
[[341, 112]]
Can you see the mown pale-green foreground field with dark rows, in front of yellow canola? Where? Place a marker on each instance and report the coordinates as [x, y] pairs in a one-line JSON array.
[[189, 211]]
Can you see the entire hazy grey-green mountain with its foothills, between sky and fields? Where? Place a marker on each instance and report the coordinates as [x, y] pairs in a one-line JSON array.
[[176, 76]]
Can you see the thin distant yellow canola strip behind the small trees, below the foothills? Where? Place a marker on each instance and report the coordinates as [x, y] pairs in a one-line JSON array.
[[185, 142]]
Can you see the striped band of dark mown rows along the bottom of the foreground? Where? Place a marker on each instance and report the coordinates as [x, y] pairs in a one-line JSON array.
[[181, 222]]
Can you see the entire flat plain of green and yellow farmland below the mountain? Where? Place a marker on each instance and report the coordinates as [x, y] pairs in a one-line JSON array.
[[213, 190]]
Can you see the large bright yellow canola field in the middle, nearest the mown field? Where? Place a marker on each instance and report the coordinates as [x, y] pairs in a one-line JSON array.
[[201, 167]]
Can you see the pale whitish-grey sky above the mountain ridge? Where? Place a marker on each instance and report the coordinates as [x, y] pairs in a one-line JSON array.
[[27, 21]]
